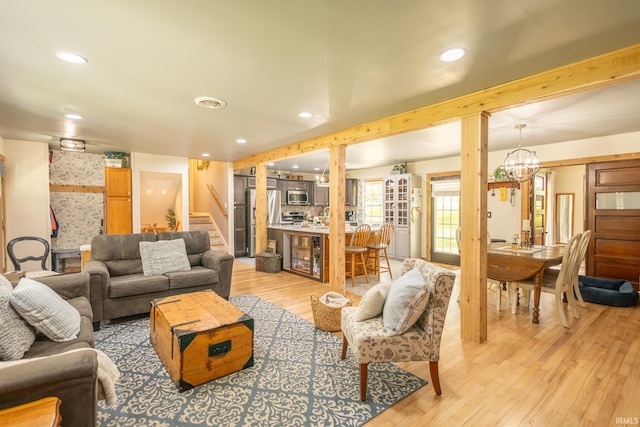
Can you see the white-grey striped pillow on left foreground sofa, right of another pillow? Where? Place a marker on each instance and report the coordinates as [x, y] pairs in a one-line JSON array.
[[45, 310]]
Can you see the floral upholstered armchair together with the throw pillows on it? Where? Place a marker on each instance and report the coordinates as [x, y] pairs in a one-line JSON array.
[[400, 322]]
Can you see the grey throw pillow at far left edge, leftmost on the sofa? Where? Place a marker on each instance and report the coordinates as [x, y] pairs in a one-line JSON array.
[[16, 335]]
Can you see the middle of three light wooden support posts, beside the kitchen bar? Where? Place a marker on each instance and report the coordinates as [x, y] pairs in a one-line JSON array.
[[337, 156]]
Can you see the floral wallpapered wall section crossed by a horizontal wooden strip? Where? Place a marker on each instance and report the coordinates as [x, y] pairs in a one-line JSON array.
[[79, 214]]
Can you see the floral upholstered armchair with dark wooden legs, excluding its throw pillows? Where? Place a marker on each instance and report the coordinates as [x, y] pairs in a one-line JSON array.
[[369, 339]]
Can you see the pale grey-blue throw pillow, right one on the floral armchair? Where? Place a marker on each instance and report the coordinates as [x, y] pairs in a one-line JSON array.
[[405, 303]]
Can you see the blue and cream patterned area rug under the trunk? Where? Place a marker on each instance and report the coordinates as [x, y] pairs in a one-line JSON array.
[[298, 379]]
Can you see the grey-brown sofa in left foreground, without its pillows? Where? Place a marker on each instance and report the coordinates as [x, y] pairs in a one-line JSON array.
[[72, 377]]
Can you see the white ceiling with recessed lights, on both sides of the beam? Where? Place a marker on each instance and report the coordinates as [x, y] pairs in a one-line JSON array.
[[348, 62]]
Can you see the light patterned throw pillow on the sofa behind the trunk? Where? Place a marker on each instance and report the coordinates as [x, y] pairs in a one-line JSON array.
[[164, 256]]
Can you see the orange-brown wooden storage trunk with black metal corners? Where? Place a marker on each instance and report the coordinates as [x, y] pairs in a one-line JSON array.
[[199, 337]]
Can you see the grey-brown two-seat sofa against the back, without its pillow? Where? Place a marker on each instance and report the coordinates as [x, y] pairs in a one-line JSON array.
[[120, 288]]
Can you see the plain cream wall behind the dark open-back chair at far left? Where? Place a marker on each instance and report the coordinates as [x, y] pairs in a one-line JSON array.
[[27, 192]]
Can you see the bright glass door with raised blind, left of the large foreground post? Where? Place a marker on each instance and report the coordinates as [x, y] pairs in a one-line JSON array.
[[445, 218]]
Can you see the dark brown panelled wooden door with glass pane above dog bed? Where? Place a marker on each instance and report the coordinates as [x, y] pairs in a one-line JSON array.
[[613, 216]]
